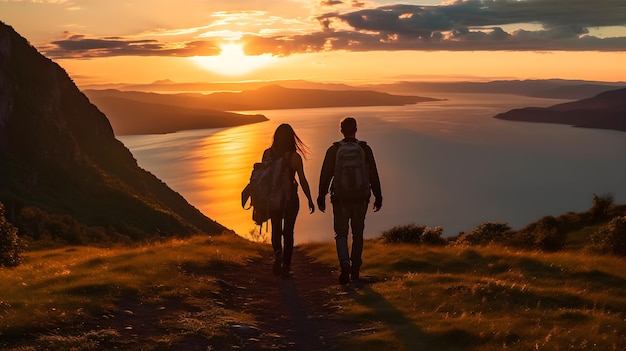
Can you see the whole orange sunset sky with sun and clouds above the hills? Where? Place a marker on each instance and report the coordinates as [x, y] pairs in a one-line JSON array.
[[351, 41]]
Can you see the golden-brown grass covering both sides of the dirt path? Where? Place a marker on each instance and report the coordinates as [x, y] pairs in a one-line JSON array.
[[417, 298]]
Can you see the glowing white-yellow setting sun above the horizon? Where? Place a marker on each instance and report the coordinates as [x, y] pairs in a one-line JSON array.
[[232, 61]]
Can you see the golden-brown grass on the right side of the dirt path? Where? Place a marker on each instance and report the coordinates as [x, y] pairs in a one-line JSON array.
[[484, 298]]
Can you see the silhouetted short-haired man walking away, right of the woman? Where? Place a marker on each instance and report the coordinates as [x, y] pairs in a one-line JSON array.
[[349, 207]]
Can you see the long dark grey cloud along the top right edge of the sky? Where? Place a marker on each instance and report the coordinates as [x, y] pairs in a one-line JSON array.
[[479, 13]]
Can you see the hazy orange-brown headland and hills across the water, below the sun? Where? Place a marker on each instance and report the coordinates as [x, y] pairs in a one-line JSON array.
[[133, 112]]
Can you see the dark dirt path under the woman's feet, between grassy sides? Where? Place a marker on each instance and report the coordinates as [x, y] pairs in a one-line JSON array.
[[296, 313]]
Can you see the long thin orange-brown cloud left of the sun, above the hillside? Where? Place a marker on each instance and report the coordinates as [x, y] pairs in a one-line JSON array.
[[80, 46]]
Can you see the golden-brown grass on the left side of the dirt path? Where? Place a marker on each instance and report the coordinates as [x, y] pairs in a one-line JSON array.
[[74, 286]]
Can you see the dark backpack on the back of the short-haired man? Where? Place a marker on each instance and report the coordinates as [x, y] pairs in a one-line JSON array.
[[351, 178]]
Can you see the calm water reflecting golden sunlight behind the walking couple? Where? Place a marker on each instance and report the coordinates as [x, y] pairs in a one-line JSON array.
[[446, 164]]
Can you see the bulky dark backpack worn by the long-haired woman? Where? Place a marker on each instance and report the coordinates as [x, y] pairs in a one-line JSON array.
[[270, 188]]
